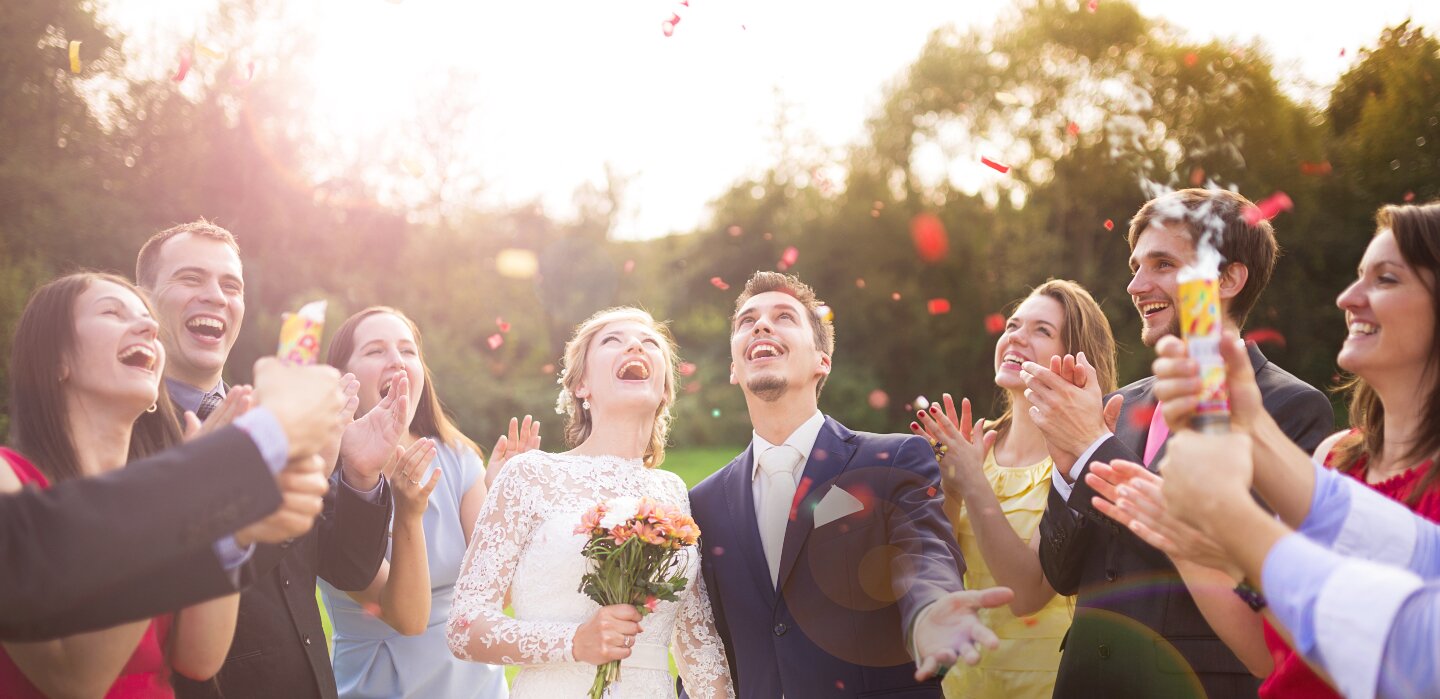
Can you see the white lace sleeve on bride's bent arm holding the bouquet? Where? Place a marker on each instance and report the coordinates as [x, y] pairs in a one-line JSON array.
[[479, 626]]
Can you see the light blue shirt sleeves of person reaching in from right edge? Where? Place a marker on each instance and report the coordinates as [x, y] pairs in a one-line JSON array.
[[1359, 589]]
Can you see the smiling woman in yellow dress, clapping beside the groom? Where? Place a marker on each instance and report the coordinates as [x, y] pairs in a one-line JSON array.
[[997, 482]]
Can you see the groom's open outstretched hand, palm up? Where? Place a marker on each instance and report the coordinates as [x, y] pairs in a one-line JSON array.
[[951, 631]]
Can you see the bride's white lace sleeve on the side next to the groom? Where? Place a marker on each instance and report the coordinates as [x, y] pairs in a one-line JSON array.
[[699, 648]]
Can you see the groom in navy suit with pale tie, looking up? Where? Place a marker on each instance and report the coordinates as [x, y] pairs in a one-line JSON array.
[[829, 560]]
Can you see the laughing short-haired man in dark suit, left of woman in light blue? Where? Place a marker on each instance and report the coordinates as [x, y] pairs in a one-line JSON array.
[[195, 277]]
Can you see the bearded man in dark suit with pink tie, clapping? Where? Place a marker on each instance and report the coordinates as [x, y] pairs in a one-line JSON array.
[[1138, 628]]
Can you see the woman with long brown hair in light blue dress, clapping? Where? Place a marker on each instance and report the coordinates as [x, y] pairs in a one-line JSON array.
[[391, 636]]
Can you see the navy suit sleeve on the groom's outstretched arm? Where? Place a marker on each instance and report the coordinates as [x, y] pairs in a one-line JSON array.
[[919, 528]]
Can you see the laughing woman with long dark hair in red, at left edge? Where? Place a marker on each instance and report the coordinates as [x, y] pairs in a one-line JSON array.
[[86, 400]]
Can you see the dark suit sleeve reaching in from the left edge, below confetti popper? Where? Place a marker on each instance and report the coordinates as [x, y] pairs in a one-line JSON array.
[[94, 553]]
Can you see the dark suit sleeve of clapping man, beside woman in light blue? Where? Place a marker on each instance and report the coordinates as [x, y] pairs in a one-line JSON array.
[[354, 537]]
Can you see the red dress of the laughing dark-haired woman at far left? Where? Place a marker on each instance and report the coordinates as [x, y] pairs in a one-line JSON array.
[[145, 677]]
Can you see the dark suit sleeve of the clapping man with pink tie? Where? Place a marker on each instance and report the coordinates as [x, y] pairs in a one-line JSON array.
[[1068, 528]]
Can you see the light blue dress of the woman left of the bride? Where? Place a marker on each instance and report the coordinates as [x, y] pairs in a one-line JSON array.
[[374, 661]]
